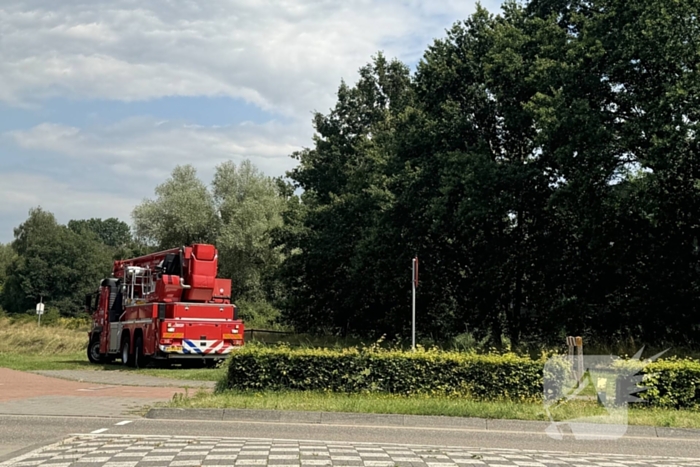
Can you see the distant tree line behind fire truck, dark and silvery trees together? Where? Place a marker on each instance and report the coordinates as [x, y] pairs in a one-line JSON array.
[[62, 263]]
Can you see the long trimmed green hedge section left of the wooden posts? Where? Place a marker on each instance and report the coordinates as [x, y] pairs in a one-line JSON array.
[[353, 370]]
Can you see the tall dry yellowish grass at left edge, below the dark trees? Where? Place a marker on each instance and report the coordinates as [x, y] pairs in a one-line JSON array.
[[28, 338]]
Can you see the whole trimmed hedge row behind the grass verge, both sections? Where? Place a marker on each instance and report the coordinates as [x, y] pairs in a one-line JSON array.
[[671, 383]]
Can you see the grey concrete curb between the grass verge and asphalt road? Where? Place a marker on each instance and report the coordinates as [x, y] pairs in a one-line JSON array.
[[414, 421]]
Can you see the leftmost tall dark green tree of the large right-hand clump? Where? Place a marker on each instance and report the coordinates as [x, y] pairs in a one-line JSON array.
[[331, 281]]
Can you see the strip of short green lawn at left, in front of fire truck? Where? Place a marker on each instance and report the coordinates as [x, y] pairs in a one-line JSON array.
[[78, 361]]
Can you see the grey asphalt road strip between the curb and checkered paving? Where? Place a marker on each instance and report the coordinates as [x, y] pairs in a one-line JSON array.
[[19, 434]]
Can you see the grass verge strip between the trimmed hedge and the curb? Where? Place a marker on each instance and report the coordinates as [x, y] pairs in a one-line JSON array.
[[424, 405]]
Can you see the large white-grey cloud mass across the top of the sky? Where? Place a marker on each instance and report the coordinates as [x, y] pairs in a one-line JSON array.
[[287, 55]]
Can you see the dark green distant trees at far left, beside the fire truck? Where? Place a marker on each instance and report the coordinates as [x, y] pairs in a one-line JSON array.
[[59, 264]]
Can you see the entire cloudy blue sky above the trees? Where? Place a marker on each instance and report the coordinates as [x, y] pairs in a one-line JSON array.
[[100, 100]]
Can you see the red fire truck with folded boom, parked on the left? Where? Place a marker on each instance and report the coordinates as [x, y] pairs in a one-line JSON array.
[[168, 306]]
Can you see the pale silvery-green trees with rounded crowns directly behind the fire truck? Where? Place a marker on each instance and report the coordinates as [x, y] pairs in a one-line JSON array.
[[238, 215]]
